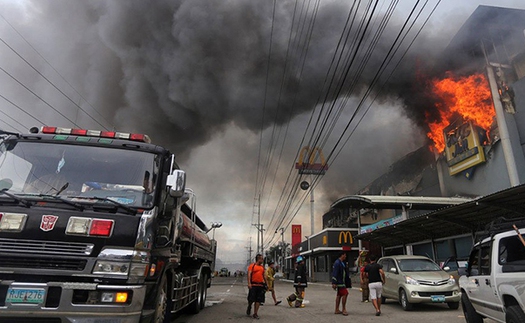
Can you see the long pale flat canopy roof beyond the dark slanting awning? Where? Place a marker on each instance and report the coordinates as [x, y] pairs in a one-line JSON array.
[[396, 202]]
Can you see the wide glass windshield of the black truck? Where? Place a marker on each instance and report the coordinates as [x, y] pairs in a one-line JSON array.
[[79, 171]]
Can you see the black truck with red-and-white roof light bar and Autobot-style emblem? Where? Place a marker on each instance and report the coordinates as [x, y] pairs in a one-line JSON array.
[[97, 226]]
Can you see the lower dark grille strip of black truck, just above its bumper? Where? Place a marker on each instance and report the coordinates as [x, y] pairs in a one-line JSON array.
[[42, 263]]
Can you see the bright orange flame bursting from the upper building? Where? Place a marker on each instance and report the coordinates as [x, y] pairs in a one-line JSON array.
[[467, 97]]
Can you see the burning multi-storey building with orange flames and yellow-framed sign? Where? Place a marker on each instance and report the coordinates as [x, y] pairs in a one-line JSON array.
[[475, 121]]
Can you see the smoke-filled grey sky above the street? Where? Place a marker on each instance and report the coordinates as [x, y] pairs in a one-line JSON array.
[[234, 88]]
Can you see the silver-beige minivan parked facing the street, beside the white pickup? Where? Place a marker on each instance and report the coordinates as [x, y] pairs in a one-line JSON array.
[[418, 279]]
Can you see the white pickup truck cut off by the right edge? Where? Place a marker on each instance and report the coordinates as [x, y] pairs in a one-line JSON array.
[[494, 286]]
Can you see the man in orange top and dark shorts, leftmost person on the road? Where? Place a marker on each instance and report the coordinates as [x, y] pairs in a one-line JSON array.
[[256, 286]]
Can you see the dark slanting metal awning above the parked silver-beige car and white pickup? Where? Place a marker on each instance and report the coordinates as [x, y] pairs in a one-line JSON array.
[[469, 217]]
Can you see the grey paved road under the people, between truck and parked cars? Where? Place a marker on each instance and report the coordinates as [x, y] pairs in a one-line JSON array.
[[227, 302]]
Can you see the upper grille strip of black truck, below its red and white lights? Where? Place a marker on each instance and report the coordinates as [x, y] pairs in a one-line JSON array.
[[45, 247]]
